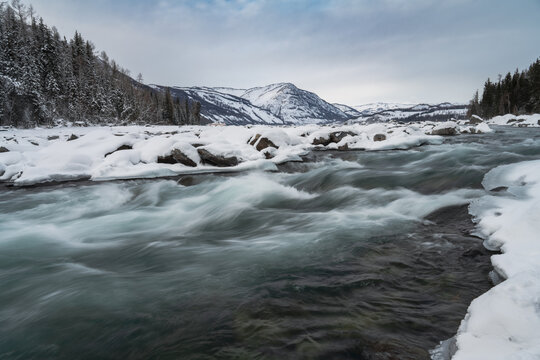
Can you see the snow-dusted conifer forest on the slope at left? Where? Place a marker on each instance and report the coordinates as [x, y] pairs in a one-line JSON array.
[[45, 77]]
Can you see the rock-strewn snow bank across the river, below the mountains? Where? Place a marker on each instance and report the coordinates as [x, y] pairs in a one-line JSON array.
[[34, 156]]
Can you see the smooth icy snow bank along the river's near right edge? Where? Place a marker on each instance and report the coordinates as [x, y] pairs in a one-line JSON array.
[[504, 323]]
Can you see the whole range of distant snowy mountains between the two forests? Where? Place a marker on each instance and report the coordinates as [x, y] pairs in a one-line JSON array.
[[284, 103]]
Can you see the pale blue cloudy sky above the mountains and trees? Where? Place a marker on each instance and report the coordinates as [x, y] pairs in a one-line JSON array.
[[347, 51]]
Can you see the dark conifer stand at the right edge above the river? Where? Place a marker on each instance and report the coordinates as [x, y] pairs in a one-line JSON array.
[[517, 93]]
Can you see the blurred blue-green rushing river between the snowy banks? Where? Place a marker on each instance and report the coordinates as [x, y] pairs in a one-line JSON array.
[[348, 255]]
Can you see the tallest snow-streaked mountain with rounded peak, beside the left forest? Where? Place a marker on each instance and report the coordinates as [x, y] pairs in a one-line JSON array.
[[281, 103]]
